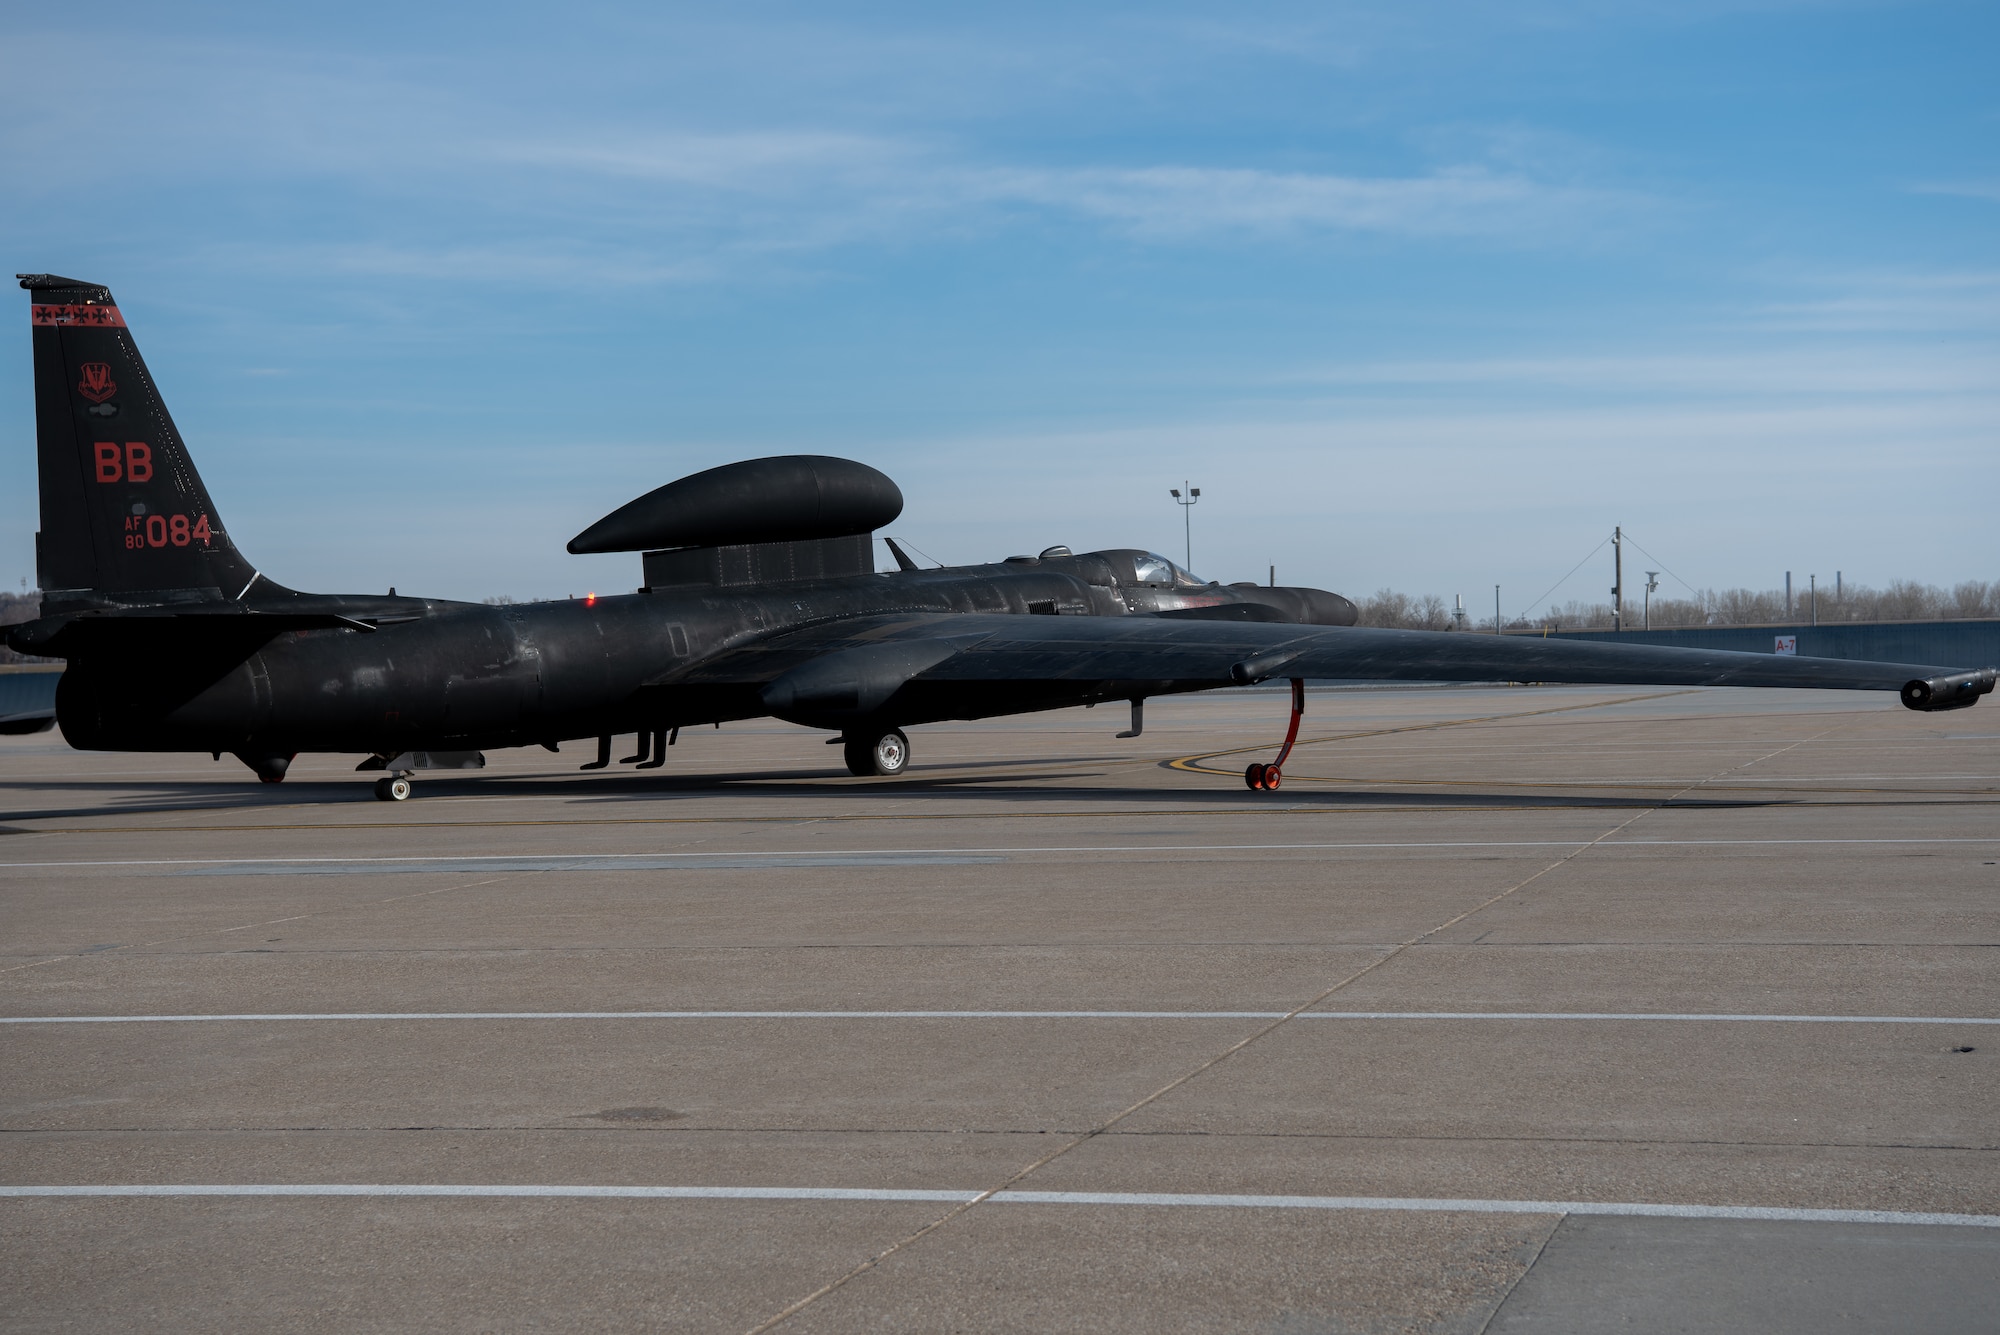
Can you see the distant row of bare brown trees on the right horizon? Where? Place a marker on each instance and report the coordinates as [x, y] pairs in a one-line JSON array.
[[1905, 601]]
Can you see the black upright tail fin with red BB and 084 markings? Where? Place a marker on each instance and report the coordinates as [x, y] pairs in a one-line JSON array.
[[123, 509]]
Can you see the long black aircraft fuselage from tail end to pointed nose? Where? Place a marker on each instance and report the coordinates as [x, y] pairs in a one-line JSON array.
[[475, 676]]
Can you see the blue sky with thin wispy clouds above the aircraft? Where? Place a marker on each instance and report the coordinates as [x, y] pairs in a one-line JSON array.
[[1419, 295]]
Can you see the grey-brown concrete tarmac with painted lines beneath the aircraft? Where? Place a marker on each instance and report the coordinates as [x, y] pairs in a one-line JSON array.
[[1515, 1010]]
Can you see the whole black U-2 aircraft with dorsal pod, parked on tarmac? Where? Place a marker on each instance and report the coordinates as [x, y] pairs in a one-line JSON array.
[[761, 599]]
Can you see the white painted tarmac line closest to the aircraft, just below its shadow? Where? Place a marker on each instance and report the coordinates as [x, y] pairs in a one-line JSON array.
[[947, 852]]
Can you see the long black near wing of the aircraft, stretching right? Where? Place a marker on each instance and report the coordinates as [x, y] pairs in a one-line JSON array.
[[865, 665]]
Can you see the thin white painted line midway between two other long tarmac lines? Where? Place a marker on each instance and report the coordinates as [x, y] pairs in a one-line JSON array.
[[1531, 1016]]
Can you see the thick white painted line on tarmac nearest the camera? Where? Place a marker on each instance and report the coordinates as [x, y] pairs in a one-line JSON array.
[[1643, 1210]]
